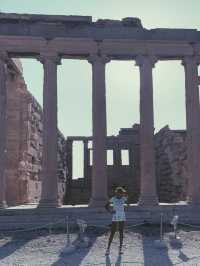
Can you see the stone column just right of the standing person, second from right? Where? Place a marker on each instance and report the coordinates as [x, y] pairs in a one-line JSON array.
[[148, 194]]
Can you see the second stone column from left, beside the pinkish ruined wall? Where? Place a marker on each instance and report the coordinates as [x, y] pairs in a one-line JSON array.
[[49, 194]]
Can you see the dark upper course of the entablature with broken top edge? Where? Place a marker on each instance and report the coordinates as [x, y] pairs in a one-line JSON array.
[[54, 26]]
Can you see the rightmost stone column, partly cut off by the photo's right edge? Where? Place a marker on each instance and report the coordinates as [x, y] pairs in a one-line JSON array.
[[193, 127]]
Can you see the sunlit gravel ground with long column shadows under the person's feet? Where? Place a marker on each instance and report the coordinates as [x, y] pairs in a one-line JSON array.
[[42, 248]]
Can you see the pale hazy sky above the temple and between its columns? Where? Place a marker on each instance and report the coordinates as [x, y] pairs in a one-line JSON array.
[[122, 78]]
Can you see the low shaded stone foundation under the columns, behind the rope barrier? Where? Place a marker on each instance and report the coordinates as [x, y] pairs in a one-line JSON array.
[[29, 216]]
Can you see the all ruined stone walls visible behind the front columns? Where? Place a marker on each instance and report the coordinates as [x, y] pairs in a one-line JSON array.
[[24, 155]]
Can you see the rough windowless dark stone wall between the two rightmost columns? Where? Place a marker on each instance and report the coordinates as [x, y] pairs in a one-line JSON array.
[[171, 167]]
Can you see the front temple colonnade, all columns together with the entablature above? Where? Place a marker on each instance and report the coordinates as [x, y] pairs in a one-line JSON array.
[[51, 38]]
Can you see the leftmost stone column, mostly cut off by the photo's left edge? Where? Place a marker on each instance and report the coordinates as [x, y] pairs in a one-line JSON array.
[[3, 97]]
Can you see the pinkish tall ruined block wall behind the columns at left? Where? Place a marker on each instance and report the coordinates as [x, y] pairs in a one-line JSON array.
[[24, 142]]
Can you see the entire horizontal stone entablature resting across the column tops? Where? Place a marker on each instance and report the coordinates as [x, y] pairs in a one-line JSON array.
[[77, 37]]
